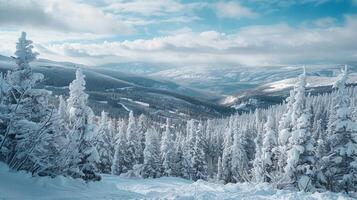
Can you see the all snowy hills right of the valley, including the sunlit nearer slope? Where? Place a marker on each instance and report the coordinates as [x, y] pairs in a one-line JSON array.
[[246, 88]]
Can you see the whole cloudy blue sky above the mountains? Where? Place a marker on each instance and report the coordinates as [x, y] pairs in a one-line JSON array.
[[182, 33]]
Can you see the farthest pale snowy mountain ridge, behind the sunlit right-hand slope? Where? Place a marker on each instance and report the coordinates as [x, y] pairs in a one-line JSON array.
[[234, 80]]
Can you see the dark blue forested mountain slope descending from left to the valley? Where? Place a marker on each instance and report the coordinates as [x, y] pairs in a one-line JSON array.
[[118, 93]]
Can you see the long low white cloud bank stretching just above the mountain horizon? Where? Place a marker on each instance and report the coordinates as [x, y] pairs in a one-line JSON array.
[[278, 44]]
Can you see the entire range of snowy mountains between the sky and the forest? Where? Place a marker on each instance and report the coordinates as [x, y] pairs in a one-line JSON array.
[[182, 92]]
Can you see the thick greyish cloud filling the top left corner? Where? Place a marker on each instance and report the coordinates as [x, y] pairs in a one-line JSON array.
[[59, 15]]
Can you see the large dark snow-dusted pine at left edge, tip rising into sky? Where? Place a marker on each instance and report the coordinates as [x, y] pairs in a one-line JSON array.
[[26, 138]]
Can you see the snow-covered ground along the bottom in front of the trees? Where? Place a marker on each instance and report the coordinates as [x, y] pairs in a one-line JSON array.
[[23, 186]]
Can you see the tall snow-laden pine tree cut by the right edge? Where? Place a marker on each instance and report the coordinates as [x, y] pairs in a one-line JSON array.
[[340, 168]]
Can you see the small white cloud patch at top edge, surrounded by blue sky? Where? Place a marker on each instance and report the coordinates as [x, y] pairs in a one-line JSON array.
[[233, 10]]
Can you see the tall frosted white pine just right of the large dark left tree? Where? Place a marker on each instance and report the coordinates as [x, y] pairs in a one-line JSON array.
[[82, 128]]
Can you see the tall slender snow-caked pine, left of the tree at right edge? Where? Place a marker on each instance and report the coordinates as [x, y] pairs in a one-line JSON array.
[[300, 156]]
